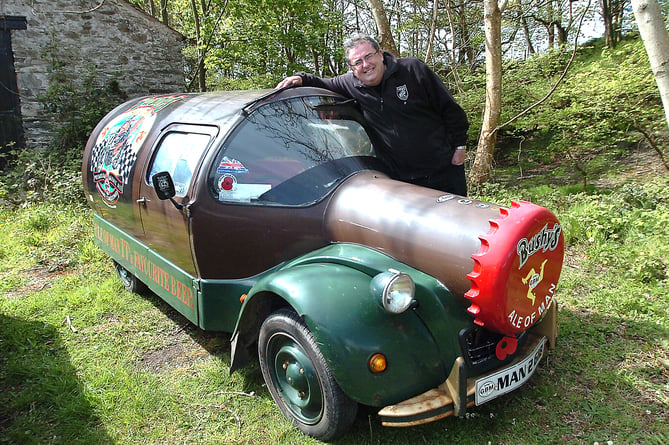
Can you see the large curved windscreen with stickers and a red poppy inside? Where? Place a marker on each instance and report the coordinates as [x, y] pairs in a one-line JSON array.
[[286, 152]]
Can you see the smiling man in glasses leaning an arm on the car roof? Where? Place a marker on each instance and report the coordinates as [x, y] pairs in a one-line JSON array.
[[418, 128]]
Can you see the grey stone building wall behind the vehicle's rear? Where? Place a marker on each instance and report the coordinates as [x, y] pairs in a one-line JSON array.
[[109, 38]]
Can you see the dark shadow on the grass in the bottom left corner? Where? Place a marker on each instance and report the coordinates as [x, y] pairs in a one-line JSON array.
[[41, 397]]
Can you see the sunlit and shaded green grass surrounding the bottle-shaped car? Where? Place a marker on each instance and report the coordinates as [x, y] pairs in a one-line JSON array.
[[84, 361]]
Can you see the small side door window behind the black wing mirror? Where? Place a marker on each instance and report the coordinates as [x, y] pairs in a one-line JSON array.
[[178, 153]]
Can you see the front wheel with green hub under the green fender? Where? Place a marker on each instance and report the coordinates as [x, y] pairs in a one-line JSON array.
[[299, 378]]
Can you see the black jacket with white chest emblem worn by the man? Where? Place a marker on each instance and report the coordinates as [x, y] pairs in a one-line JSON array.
[[416, 122]]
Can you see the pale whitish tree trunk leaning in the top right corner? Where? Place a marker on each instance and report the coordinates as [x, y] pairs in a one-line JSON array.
[[656, 40]]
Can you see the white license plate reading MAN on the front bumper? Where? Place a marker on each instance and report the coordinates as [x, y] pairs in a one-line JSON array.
[[508, 379]]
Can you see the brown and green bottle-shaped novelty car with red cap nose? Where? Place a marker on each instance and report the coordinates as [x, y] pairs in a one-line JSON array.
[[269, 215]]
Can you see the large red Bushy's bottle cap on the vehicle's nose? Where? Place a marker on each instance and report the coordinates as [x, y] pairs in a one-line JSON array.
[[516, 270]]
